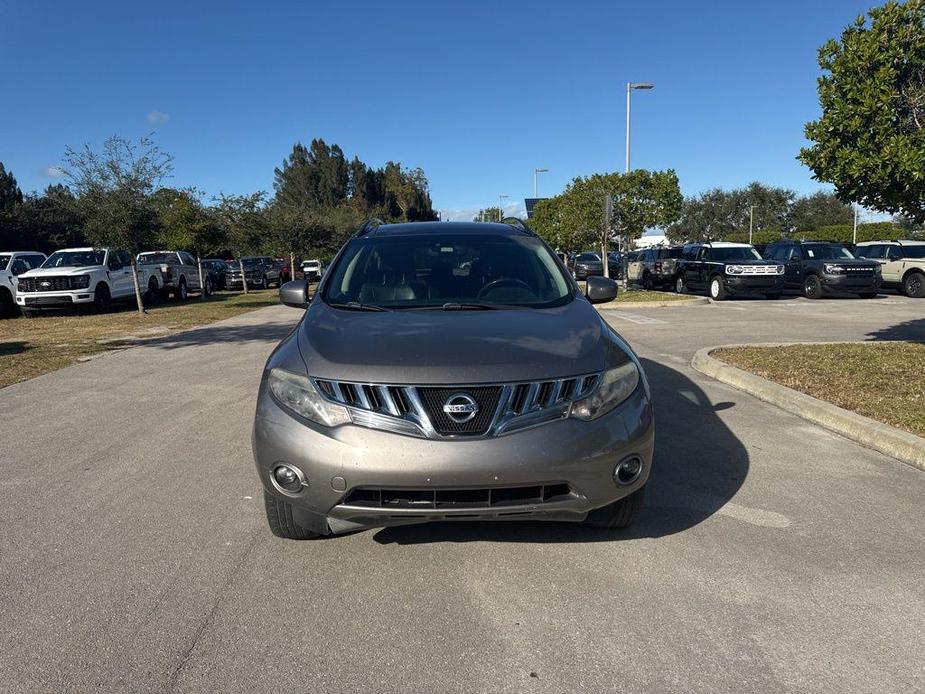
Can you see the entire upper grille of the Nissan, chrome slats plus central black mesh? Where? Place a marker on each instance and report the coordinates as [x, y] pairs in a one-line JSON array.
[[420, 410]]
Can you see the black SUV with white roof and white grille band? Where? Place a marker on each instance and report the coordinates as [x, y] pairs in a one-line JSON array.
[[723, 269]]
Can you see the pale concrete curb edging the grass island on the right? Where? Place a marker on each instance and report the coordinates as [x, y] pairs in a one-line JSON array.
[[905, 447]]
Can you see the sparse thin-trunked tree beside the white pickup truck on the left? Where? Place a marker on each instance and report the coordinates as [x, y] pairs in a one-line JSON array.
[[114, 188]]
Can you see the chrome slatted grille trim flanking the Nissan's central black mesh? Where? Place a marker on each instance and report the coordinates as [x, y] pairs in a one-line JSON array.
[[399, 409]]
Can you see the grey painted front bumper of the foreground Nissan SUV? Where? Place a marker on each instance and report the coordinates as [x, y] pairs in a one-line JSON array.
[[580, 454]]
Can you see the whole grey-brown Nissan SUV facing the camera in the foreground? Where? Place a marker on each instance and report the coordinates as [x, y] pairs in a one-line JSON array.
[[449, 371]]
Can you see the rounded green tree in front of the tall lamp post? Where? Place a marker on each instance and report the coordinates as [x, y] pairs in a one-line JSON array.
[[640, 199]]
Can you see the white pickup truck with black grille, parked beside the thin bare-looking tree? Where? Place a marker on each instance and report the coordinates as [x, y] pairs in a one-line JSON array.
[[81, 277]]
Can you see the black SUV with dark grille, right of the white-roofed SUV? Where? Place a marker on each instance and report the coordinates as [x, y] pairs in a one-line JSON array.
[[819, 267]]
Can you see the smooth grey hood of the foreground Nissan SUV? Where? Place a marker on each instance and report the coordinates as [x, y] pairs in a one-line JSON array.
[[448, 347]]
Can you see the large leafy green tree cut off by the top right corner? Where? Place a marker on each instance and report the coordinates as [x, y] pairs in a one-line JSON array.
[[870, 139]]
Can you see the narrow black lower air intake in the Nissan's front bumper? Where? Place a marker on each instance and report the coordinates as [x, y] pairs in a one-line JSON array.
[[484, 498]]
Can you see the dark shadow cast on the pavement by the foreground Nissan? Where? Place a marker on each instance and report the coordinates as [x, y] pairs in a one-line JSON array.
[[699, 466]]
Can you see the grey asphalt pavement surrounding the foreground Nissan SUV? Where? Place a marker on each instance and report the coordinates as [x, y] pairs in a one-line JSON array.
[[772, 556]]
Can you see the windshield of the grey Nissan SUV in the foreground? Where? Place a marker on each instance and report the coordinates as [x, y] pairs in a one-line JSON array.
[[437, 270]]
